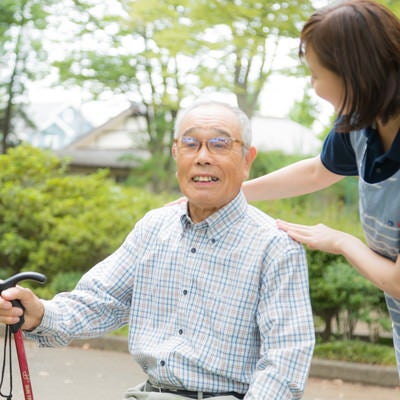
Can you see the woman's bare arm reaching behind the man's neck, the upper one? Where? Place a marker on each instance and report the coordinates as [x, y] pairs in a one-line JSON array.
[[302, 177]]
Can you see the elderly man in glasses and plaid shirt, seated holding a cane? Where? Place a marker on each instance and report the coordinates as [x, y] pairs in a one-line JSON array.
[[215, 296]]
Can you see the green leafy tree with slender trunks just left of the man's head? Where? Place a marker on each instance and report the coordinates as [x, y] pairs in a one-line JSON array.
[[146, 59]]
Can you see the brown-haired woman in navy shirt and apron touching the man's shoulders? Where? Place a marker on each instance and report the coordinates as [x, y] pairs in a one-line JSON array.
[[352, 50]]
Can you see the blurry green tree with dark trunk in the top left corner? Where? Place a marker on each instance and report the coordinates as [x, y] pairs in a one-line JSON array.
[[27, 28]]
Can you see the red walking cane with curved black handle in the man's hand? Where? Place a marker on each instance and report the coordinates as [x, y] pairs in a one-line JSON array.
[[16, 329]]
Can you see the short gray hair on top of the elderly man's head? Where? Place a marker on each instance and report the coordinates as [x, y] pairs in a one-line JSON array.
[[244, 122]]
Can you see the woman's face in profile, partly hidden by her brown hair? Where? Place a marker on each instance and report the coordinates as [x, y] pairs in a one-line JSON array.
[[327, 85]]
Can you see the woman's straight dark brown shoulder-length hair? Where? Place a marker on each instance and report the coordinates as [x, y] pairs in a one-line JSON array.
[[359, 41]]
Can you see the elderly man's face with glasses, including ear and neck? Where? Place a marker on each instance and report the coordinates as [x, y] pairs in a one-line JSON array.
[[210, 174]]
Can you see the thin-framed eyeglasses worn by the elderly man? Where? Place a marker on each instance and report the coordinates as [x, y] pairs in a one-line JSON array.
[[215, 145]]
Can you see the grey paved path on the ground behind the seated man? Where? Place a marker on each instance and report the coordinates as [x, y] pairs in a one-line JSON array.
[[77, 374]]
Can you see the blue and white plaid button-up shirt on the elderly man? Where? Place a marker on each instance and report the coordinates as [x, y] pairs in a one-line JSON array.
[[222, 305]]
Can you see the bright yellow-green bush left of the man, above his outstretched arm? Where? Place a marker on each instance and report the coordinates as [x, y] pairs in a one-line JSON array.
[[54, 223]]
